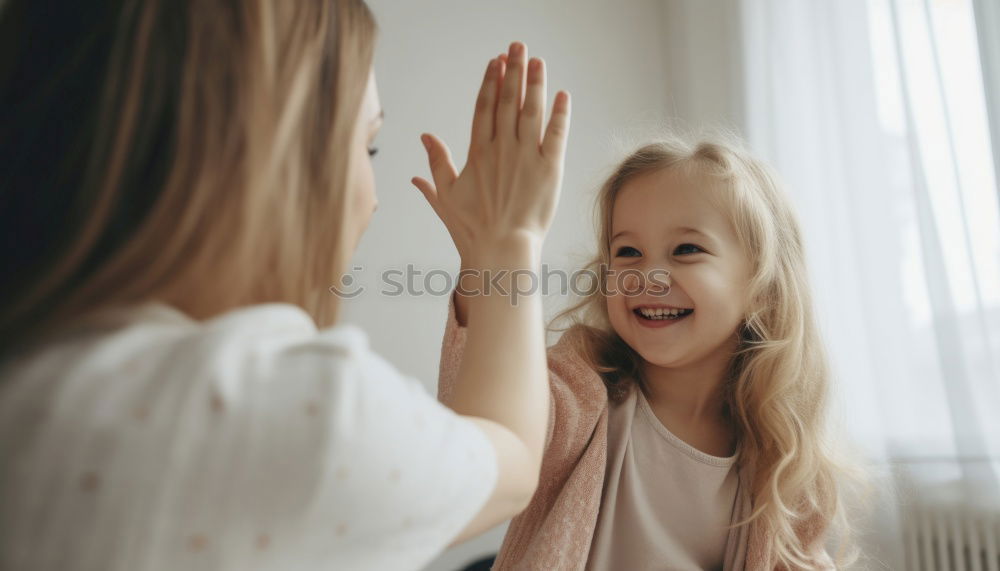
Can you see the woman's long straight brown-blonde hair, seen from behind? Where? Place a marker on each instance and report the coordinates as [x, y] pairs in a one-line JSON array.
[[194, 152]]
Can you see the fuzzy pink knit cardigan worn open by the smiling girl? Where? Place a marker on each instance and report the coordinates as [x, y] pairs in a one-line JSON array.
[[556, 529]]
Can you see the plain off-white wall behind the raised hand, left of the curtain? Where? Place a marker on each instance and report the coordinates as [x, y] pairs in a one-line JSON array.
[[613, 57]]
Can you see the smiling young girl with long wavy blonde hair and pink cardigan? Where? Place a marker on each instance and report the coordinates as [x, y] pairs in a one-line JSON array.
[[688, 396]]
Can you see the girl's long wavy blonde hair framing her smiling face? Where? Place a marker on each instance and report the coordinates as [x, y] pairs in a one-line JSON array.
[[777, 384]]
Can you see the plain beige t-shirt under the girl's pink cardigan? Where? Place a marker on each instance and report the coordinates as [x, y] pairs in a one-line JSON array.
[[665, 503]]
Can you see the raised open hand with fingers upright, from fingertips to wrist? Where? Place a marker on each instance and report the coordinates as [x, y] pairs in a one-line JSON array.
[[509, 187]]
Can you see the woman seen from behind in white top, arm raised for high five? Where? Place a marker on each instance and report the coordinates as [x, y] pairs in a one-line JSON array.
[[182, 183]]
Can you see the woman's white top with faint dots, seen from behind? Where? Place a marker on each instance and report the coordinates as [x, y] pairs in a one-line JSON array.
[[149, 441]]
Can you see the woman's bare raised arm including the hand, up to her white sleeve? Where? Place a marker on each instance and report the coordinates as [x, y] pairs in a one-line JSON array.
[[498, 211]]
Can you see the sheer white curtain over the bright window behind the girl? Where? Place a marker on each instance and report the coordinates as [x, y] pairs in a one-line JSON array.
[[875, 113]]
